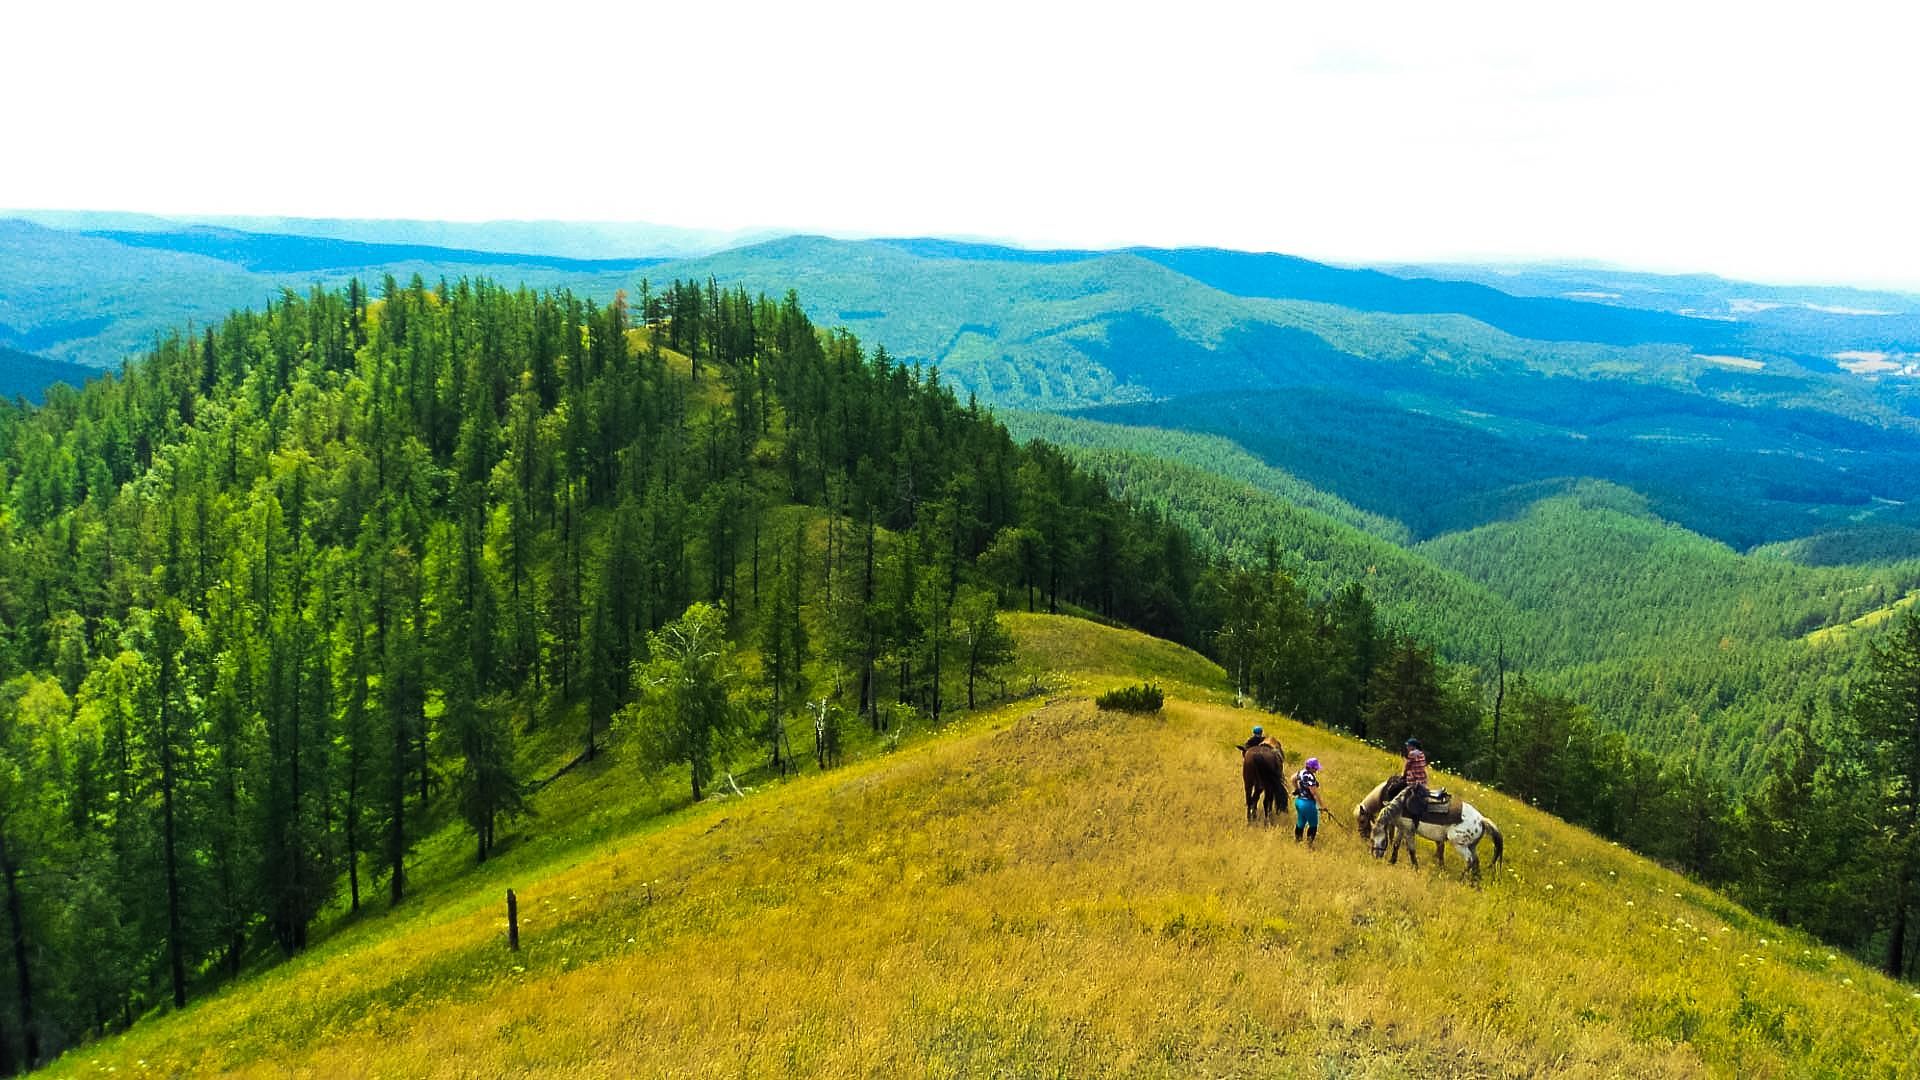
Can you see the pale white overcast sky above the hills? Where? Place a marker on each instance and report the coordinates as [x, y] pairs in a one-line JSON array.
[[1771, 143]]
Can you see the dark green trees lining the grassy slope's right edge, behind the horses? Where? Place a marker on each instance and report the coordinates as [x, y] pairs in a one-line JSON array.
[[1827, 837]]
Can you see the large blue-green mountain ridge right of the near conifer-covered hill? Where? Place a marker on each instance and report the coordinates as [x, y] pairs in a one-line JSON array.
[[1746, 451]]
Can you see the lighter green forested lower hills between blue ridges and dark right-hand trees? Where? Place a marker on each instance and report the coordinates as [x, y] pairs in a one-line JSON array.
[[1683, 643]]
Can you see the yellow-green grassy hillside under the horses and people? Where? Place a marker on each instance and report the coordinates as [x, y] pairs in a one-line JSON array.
[[1042, 891]]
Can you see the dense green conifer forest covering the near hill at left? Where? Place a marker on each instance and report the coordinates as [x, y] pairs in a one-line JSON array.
[[287, 595]]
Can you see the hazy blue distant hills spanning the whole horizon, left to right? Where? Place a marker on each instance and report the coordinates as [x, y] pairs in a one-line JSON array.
[[1333, 376]]
